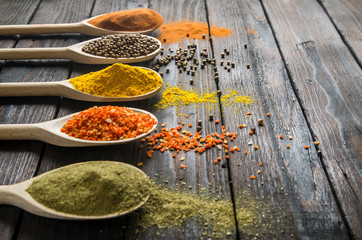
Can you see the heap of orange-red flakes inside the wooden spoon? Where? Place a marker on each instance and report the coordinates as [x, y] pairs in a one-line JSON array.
[[108, 123]]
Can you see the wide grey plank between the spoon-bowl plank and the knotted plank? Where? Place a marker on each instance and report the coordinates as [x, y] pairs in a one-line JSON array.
[[292, 189]]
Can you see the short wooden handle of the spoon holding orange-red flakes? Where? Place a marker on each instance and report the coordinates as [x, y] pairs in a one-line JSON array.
[[20, 131]]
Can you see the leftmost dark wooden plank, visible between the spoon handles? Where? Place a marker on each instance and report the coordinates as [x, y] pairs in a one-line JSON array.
[[20, 159]]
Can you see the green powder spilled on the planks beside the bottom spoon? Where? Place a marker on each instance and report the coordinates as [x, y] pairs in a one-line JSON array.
[[171, 208]]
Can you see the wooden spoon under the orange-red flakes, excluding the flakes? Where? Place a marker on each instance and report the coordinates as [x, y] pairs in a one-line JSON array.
[[50, 132]]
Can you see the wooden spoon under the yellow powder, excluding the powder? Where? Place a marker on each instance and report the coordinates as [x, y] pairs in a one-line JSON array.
[[64, 88]]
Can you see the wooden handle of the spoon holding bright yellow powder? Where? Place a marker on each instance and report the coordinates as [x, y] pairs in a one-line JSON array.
[[30, 89]]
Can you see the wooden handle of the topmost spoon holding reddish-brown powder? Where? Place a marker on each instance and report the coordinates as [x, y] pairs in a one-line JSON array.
[[40, 28]]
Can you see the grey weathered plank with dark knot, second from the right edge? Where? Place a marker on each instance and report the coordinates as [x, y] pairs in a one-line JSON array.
[[328, 83]]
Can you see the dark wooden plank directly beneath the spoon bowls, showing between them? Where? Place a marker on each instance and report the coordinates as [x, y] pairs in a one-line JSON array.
[[162, 167]]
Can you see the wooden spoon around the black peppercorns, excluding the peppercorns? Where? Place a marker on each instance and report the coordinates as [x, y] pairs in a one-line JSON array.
[[73, 52]]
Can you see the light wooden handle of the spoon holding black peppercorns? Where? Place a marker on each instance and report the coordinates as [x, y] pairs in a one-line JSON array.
[[35, 53]]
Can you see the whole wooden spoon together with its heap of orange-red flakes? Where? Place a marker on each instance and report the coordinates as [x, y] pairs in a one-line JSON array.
[[96, 126]]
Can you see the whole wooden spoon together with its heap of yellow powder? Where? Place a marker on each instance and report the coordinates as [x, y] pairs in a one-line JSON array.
[[116, 83]]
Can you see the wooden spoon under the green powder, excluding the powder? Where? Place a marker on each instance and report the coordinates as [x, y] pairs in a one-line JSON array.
[[17, 195]]
